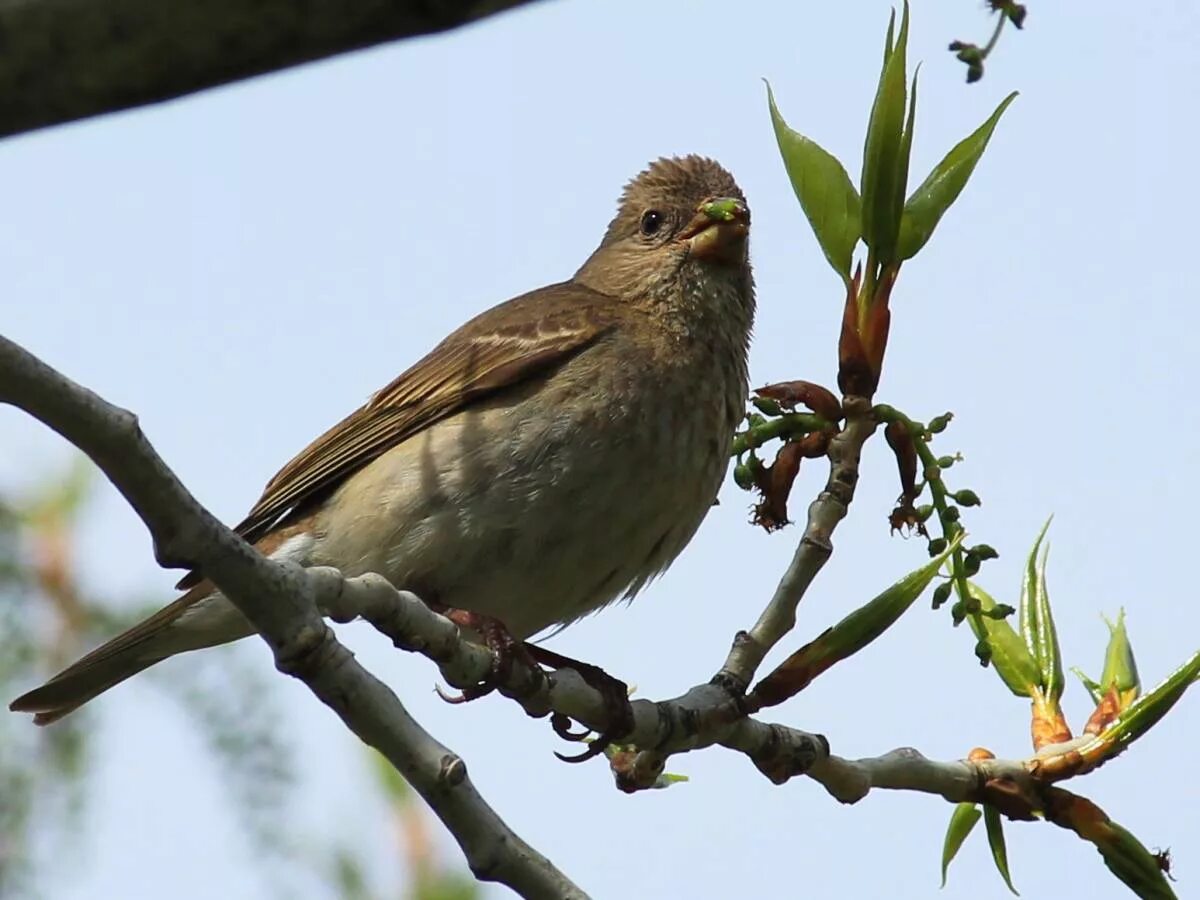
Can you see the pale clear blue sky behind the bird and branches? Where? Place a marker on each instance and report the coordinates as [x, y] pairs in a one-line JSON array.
[[244, 267]]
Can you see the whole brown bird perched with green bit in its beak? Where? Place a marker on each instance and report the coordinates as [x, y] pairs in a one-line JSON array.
[[550, 457]]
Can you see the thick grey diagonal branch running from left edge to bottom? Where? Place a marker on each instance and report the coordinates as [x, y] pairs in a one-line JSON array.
[[281, 602]]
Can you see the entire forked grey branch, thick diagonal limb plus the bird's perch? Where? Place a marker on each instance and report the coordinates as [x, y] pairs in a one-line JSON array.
[[286, 603]]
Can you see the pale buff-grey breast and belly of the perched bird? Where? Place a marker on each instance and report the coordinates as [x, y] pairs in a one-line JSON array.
[[554, 500]]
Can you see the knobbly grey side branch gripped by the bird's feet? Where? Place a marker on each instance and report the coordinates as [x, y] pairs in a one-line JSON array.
[[704, 717]]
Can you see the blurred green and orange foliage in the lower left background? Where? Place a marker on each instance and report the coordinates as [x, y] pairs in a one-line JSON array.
[[49, 619]]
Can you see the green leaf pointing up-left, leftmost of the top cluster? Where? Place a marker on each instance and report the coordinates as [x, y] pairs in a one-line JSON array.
[[825, 191]]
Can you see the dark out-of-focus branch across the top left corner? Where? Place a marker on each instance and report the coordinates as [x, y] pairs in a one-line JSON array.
[[70, 59]]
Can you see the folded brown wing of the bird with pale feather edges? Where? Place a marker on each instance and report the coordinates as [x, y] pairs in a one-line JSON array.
[[500, 349]]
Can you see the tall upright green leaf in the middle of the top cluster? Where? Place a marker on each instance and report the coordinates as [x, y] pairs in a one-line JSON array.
[[884, 170]]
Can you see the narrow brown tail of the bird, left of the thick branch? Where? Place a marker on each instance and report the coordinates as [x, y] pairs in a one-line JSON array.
[[148, 643]]
